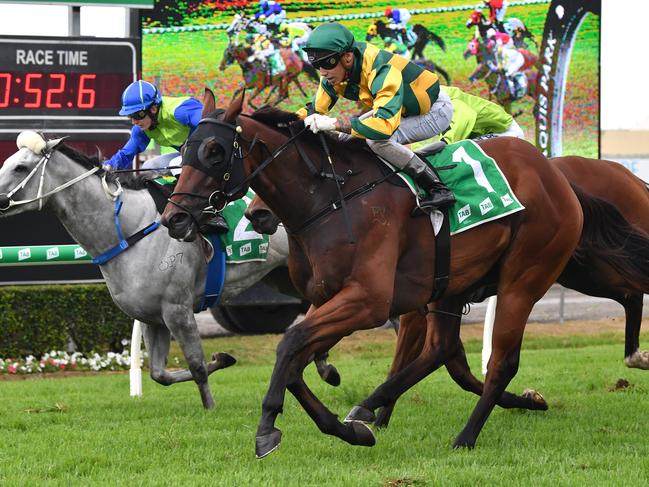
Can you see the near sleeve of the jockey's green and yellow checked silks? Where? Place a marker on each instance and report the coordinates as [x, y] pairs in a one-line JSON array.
[[386, 88]]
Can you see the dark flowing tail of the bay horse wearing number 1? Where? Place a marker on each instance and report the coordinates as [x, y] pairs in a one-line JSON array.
[[609, 238]]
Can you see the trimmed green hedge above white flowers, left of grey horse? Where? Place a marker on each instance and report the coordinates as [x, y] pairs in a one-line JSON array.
[[40, 318]]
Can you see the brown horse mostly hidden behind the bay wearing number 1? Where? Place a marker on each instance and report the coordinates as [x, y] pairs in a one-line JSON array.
[[586, 271]]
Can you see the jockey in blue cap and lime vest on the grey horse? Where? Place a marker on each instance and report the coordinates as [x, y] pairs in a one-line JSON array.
[[166, 120]]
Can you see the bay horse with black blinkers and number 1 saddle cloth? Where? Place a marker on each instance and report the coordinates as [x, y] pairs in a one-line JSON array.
[[386, 267]]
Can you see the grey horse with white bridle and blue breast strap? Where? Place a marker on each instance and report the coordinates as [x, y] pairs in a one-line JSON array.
[[158, 281]]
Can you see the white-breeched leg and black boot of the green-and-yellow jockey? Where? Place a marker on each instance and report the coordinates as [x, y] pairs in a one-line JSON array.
[[414, 129]]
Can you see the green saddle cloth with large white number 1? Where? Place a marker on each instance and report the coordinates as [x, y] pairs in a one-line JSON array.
[[480, 188]]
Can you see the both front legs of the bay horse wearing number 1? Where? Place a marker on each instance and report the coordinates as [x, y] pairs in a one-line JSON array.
[[351, 309]]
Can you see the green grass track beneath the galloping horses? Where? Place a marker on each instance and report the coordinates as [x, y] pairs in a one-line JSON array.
[[590, 435]]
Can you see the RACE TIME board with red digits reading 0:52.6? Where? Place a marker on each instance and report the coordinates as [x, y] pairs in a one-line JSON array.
[[64, 77]]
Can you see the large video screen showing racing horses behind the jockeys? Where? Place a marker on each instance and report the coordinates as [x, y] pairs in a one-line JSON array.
[[224, 44]]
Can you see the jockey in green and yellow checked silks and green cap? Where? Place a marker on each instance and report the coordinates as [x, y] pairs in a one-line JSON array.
[[405, 100]]
